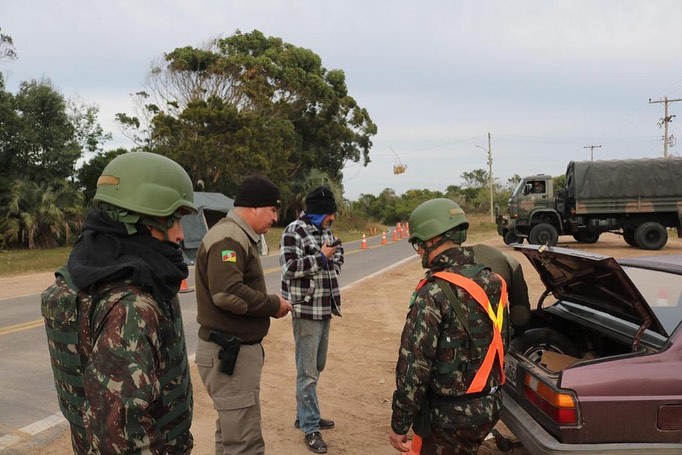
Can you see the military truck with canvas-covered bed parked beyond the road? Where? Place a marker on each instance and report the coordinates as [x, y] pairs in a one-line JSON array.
[[638, 199]]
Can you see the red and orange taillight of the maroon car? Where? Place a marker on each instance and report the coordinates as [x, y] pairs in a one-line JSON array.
[[557, 405]]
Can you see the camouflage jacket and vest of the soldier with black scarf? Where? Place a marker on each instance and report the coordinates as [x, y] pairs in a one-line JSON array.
[[121, 370]]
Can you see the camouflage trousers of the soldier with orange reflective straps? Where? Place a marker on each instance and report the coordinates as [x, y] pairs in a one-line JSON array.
[[460, 429]]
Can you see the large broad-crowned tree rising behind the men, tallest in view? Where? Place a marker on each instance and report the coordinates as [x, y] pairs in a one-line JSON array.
[[251, 104]]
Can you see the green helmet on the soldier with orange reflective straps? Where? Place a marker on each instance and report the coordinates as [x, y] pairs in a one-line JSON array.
[[435, 217]]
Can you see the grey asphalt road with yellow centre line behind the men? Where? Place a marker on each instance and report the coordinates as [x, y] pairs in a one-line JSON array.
[[27, 397]]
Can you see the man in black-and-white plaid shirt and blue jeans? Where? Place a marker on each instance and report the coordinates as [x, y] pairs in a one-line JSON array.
[[311, 259]]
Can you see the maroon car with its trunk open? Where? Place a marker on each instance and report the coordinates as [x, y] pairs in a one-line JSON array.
[[598, 370]]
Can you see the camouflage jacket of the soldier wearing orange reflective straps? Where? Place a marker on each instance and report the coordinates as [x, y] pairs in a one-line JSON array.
[[438, 359]]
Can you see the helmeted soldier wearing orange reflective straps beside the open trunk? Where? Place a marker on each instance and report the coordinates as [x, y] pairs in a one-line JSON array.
[[449, 367]]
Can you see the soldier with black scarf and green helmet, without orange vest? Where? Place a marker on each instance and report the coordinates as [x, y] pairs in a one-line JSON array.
[[113, 320]]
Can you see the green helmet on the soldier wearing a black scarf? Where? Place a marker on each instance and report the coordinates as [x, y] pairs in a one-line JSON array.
[[146, 183]]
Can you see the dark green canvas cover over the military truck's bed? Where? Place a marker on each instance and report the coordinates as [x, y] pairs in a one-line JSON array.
[[651, 177]]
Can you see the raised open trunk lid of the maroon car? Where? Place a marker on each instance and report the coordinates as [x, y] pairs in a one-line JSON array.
[[592, 280]]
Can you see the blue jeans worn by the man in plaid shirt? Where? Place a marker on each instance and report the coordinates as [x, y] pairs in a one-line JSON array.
[[312, 340]]
